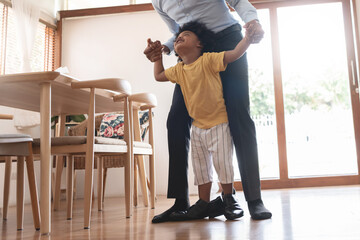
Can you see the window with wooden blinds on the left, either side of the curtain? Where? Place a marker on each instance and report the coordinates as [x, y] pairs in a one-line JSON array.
[[42, 58]]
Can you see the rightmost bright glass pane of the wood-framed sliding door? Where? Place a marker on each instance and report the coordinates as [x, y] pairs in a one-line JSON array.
[[318, 116]]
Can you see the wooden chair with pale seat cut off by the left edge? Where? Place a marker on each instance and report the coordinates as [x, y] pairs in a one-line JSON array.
[[19, 145]]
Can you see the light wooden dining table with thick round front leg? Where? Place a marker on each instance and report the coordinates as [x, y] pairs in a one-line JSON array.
[[49, 93]]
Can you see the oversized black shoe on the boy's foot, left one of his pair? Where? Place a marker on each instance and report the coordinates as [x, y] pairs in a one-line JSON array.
[[197, 211]]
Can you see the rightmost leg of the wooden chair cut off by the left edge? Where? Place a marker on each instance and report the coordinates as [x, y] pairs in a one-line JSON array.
[[32, 188]]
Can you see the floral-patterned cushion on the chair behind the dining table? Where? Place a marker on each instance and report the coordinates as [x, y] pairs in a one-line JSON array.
[[112, 125]]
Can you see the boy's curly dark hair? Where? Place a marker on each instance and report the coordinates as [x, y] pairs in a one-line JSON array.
[[205, 35]]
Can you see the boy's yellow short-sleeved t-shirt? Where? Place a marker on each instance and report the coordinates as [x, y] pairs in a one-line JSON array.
[[202, 88]]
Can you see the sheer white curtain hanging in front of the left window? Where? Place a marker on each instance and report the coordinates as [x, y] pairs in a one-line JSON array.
[[27, 13]]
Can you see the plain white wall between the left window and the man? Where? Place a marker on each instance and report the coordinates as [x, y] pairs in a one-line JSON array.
[[112, 46]]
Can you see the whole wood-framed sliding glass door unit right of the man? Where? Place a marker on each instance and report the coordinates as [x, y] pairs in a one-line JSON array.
[[300, 100]]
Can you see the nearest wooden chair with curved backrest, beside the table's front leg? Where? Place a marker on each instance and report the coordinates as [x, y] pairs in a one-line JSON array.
[[90, 145]]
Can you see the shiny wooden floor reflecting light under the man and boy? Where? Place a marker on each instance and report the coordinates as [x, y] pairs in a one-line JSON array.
[[307, 213]]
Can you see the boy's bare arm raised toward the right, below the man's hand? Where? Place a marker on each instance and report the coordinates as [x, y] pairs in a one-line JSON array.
[[241, 47]]
